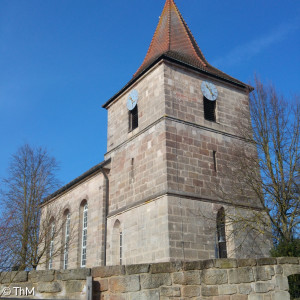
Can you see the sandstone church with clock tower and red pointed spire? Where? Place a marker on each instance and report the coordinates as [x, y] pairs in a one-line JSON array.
[[171, 130]]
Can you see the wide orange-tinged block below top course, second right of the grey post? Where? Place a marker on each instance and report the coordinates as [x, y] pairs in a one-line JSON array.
[[130, 283]]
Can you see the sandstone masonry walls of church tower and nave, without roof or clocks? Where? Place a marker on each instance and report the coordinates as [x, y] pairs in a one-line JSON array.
[[161, 177]]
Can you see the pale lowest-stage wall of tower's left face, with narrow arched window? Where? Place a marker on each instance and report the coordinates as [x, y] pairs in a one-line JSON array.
[[145, 234]]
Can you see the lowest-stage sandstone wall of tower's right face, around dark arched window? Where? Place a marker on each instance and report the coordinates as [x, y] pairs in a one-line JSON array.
[[192, 231]]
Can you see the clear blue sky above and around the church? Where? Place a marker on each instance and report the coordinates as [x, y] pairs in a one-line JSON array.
[[60, 60]]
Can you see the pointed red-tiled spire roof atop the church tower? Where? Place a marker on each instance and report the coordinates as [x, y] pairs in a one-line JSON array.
[[173, 38]]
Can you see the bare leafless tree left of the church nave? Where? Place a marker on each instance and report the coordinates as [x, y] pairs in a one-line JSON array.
[[31, 177]]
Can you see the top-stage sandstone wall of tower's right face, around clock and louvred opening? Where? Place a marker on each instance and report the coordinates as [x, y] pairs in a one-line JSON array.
[[184, 100]]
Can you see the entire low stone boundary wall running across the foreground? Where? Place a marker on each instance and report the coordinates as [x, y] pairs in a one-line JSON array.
[[218, 279]]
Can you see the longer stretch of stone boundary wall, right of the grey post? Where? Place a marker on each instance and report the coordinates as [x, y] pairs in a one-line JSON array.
[[221, 279]]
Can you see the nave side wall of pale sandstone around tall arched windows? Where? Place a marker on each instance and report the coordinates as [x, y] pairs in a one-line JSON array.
[[91, 190]]
